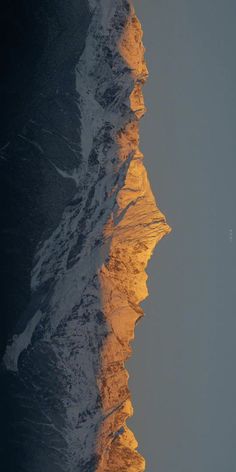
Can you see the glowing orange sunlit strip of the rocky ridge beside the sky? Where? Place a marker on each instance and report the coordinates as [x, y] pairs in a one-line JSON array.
[[133, 230]]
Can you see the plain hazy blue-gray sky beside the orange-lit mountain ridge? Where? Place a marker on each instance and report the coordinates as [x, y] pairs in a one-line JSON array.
[[183, 369]]
